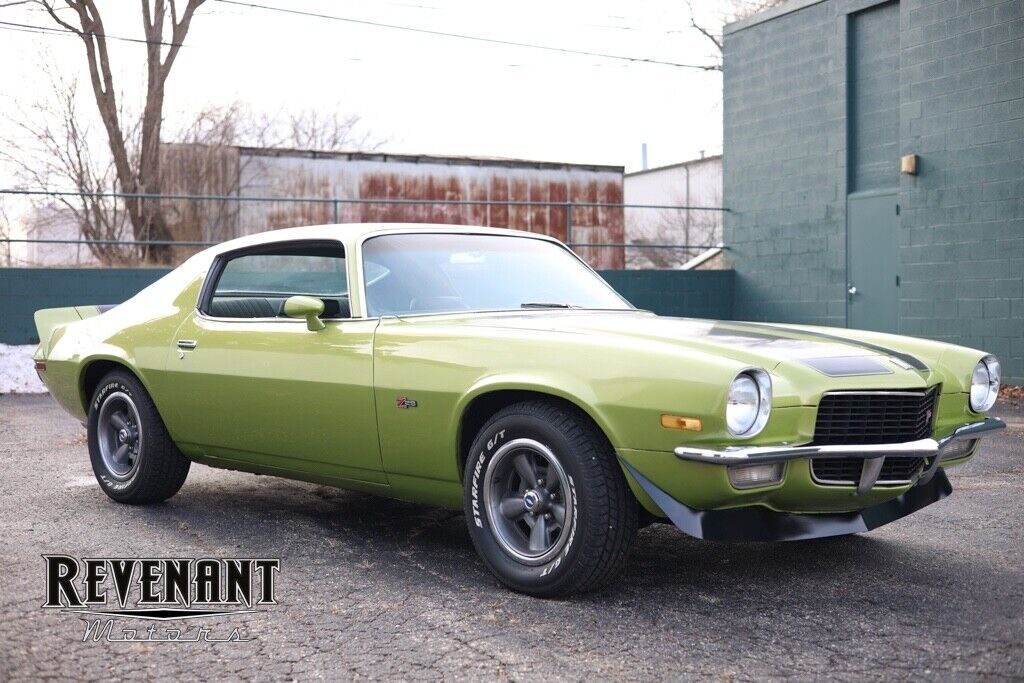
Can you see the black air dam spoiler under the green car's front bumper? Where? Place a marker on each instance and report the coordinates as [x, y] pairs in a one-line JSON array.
[[760, 524]]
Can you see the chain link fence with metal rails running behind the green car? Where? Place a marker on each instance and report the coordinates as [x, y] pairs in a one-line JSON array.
[[98, 230]]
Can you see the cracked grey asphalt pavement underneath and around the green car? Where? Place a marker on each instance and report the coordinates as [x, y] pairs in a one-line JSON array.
[[372, 588]]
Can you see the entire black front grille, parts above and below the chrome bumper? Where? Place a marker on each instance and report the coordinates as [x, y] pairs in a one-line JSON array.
[[866, 417]]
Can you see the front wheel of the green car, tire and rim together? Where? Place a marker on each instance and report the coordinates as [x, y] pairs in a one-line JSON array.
[[547, 506]]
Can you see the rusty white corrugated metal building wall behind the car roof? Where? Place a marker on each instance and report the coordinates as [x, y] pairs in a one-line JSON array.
[[368, 177]]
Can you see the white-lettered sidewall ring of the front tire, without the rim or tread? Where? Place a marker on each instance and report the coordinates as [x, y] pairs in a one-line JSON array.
[[534, 579]]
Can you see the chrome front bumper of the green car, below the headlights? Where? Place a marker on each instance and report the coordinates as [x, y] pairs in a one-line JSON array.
[[873, 454]]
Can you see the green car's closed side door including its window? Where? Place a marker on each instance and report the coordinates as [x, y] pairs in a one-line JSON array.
[[252, 386]]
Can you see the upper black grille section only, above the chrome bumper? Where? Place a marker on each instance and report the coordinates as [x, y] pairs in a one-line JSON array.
[[882, 417]]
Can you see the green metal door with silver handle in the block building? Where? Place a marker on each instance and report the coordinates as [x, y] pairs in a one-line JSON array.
[[873, 230]]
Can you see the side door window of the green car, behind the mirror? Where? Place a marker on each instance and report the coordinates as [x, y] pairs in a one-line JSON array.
[[255, 283]]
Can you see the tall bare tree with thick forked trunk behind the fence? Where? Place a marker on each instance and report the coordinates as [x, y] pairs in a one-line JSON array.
[[138, 172]]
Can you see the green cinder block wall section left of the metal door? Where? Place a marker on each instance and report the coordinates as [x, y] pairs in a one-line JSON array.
[[785, 167]]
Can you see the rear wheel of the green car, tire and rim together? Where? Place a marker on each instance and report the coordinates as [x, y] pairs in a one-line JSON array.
[[134, 457]]
